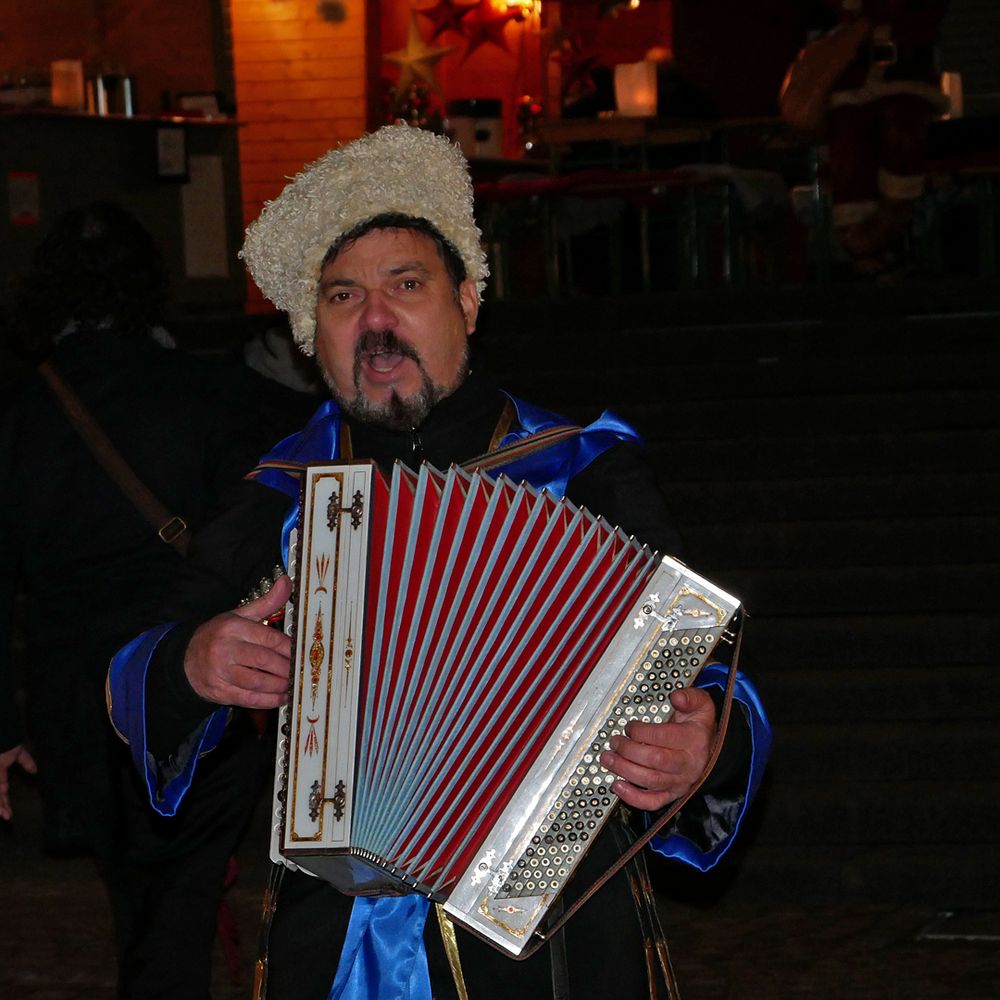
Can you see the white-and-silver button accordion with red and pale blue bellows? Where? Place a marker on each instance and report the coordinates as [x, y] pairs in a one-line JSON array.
[[463, 650]]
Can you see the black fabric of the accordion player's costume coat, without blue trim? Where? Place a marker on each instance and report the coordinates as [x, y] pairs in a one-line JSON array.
[[604, 948]]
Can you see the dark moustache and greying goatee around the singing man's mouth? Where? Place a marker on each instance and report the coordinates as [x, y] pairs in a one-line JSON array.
[[398, 413]]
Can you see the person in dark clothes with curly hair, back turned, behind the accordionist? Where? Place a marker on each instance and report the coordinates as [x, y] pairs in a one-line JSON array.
[[88, 569]]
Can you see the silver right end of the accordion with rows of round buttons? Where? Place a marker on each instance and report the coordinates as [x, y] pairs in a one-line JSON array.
[[537, 855]]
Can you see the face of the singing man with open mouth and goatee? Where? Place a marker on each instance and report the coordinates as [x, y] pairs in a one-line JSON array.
[[391, 336]]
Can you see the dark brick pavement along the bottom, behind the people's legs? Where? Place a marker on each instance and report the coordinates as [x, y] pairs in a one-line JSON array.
[[55, 939]]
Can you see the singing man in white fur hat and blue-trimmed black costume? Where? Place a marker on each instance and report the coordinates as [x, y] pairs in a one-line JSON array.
[[374, 254]]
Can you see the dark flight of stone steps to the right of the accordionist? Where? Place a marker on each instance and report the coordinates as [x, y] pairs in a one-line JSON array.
[[838, 467]]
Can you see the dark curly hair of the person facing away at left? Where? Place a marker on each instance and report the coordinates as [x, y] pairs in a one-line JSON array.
[[97, 266]]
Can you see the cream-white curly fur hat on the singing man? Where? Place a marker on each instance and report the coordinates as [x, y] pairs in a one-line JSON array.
[[396, 169]]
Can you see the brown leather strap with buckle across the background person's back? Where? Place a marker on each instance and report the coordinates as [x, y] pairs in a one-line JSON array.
[[172, 529]]
